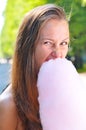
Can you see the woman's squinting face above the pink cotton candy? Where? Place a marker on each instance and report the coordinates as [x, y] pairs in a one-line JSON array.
[[53, 41]]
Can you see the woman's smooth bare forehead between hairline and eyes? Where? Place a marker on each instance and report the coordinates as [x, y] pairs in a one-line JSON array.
[[54, 29]]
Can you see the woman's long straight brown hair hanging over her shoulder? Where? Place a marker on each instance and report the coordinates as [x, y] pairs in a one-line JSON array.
[[24, 75]]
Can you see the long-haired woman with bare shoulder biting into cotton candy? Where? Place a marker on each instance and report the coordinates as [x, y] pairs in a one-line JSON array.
[[43, 35]]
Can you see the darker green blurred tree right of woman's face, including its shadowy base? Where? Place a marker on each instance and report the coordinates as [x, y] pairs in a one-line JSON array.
[[78, 33]]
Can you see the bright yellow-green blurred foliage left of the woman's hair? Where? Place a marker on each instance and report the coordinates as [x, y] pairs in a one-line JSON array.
[[13, 14]]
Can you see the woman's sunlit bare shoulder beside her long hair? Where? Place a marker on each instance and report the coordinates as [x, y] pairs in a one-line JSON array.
[[8, 114]]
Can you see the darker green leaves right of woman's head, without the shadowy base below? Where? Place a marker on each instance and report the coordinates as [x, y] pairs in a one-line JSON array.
[[77, 27]]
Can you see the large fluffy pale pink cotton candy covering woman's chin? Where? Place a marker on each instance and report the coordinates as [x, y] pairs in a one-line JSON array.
[[62, 96]]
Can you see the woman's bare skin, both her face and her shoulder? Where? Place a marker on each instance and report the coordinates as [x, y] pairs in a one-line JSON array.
[[52, 43]]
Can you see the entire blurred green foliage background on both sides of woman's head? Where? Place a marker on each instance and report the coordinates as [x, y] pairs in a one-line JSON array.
[[76, 12]]
